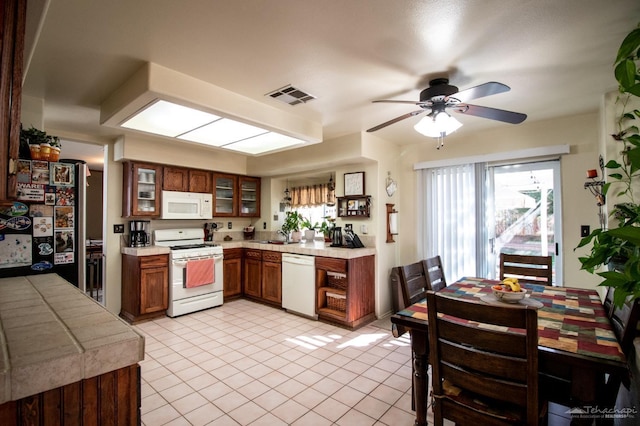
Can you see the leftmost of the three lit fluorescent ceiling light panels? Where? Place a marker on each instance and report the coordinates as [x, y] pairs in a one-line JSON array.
[[168, 119]]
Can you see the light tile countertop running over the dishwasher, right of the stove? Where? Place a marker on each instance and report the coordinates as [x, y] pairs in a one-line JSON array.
[[316, 248]]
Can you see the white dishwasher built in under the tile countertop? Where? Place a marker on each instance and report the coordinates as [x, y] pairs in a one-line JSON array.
[[299, 284]]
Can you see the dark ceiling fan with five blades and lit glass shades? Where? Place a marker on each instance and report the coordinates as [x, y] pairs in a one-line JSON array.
[[440, 96]]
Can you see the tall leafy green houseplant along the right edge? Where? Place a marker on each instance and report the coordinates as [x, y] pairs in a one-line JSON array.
[[619, 246]]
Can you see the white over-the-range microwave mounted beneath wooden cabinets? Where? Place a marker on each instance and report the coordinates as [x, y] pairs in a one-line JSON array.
[[186, 205]]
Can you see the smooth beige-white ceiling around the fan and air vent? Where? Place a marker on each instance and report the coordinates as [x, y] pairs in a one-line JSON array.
[[555, 55]]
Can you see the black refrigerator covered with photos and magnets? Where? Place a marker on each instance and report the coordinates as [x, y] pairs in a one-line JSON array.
[[43, 231]]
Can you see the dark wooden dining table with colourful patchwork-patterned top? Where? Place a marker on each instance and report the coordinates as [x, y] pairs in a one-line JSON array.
[[576, 344]]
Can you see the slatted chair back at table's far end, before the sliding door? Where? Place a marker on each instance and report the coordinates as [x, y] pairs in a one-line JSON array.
[[528, 269]]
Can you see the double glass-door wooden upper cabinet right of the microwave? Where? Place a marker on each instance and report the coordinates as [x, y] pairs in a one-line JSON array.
[[236, 196]]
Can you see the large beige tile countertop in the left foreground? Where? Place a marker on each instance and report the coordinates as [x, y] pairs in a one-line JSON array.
[[51, 335]]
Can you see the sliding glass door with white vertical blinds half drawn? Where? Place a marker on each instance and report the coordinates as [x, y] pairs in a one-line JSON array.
[[471, 213]]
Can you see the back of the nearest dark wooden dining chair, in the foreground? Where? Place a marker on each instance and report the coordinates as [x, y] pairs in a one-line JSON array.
[[492, 363]]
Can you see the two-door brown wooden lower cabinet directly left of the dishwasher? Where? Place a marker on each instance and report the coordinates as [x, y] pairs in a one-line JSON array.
[[263, 276]]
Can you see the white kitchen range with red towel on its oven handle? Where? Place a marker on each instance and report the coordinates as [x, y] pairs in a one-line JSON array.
[[187, 245]]
